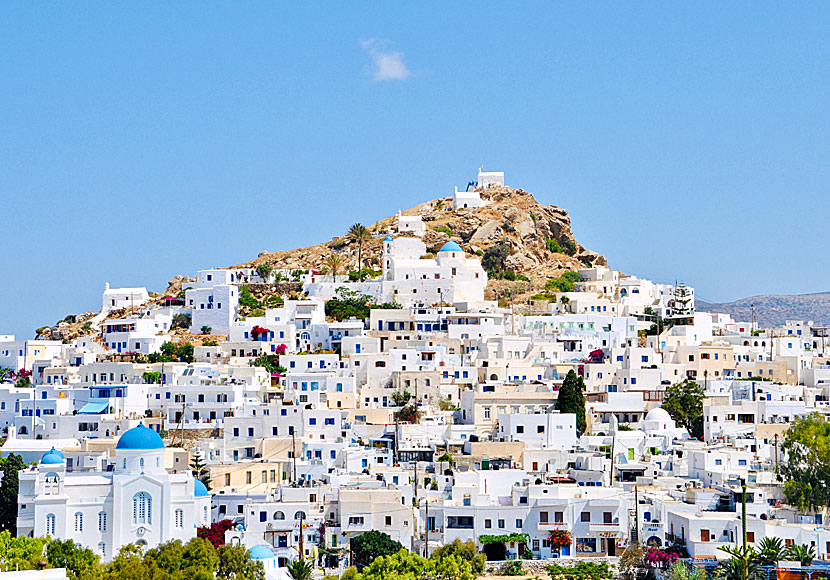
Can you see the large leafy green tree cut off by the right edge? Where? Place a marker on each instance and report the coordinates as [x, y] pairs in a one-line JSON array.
[[806, 449]]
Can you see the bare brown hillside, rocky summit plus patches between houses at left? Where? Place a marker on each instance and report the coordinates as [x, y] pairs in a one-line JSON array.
[[538, 238]]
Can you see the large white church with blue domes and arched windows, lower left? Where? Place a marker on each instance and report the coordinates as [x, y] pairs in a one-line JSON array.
[[133, 501]]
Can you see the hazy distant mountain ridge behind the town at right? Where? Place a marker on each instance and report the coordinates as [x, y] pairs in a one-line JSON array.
[[775, 309]]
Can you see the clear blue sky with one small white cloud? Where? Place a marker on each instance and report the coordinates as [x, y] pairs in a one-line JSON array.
[[138, 142]]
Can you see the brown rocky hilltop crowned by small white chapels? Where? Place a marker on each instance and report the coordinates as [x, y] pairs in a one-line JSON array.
[[539, 237]]
